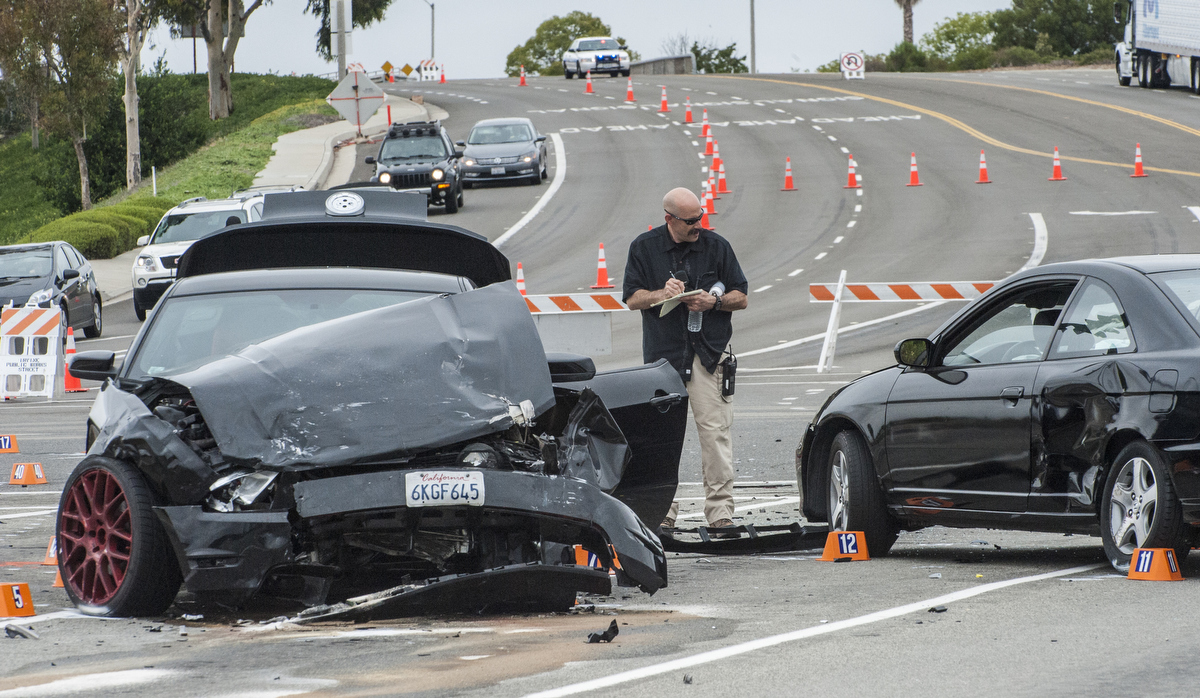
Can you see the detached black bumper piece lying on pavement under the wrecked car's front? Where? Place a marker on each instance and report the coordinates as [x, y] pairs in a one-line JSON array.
[[517, 588]]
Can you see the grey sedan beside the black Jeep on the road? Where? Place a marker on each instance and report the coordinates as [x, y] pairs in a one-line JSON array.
[[505, 149]]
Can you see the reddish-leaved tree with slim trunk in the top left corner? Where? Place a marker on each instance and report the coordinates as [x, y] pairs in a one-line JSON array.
[[68, 49]]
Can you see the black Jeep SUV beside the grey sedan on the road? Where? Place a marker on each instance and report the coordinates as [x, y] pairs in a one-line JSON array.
[[419, 158]]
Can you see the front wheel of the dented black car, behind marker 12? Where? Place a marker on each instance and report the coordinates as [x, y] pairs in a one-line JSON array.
[[854, 497]]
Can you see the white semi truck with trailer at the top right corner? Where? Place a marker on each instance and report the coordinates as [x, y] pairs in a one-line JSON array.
[[1162, 43]]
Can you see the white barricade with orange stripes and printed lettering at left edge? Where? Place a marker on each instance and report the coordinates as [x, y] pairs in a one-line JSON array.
[[31, 347]]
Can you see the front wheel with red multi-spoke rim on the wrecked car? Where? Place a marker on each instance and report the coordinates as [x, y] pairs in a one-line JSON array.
[[106, 522]]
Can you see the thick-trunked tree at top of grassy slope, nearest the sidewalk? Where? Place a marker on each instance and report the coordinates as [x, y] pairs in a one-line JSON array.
[[223, 23]]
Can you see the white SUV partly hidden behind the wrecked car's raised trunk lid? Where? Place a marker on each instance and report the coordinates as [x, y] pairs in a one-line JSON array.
[[154, 270]]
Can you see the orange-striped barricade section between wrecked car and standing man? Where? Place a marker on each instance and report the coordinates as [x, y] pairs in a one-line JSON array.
[[575, 323]]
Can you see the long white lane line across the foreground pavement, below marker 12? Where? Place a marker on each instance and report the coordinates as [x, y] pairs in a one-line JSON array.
[[805, 634]]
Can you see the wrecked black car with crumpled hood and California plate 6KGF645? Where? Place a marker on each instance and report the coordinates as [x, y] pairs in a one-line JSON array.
[[347, 402]]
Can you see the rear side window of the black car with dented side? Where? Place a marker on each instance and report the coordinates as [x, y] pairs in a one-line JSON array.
[[1095, 326]]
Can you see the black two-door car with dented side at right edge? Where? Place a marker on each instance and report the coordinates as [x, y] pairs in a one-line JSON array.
[[1065, 400]]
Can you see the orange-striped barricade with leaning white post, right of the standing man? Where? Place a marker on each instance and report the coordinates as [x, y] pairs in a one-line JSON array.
[[905, 292]]
